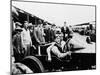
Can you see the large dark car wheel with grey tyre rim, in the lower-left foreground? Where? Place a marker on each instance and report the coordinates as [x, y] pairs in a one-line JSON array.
[[34, 64]]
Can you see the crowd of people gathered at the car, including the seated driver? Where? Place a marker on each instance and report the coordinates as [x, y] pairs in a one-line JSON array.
[[27, 35]]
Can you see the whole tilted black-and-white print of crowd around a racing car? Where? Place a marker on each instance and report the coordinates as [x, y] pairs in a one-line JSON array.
[[52, 37]]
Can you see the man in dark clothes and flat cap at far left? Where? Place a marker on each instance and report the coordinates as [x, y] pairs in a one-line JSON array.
[[17, 45]]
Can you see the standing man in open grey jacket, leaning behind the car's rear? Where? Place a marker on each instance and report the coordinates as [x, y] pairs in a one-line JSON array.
[[39, 36]]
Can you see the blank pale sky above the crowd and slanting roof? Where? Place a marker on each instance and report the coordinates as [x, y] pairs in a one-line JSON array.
[[58, 13]]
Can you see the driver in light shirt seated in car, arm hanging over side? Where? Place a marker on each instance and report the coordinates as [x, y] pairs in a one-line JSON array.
[[57, 47]]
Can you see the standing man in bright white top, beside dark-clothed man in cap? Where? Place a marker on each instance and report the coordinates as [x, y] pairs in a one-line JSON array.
[[26, 39]]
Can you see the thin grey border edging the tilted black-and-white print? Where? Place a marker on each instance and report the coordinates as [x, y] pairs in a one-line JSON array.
[[50, 3]]
